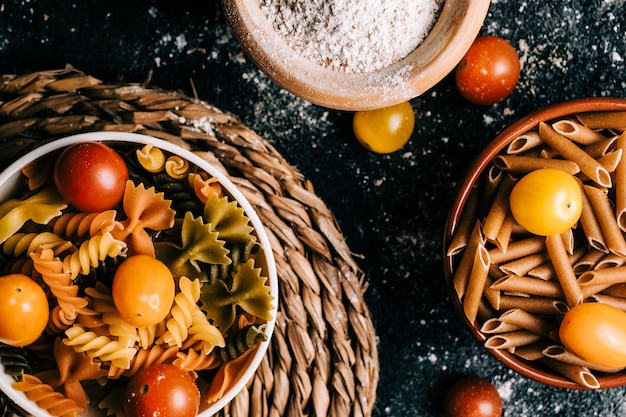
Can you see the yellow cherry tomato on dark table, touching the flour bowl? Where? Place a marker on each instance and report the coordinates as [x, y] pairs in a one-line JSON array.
[[384, 130]]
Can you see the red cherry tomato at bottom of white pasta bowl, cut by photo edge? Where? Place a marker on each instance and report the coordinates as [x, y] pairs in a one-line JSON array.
[[162, 391]]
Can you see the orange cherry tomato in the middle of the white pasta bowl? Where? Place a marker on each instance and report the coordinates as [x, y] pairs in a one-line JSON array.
[[143, 290]]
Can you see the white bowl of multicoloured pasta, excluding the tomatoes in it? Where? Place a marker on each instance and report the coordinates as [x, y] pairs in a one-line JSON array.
[[73, 255]]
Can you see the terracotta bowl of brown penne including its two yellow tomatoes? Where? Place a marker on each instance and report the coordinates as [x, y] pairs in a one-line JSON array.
[[538, 300]]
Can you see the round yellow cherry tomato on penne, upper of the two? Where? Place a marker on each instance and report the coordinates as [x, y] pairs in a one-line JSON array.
[[546, 202]]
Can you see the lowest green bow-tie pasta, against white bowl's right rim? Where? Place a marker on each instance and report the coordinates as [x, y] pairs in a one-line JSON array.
[[248, 291]]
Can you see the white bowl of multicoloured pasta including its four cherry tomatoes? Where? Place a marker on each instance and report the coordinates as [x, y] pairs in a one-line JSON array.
[[134, 273]]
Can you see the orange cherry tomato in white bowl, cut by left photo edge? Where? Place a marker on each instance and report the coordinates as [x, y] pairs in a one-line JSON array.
[[24, 310]]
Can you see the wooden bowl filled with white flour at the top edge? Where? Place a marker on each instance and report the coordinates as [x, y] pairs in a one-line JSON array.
[[335, 69]]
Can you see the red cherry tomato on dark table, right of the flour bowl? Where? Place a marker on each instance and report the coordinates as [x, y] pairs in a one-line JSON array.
[[488, 72]]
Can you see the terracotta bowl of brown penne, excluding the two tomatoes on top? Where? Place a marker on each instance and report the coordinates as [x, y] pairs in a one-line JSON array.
[[512, 288]]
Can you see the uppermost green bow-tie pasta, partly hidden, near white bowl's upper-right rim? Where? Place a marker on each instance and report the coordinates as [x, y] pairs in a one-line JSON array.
[[228, 219]]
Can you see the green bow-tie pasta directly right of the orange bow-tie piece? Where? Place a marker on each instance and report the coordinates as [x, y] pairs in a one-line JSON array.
[[198, 245]]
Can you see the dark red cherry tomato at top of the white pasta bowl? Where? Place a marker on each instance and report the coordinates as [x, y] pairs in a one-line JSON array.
[[91, 176]]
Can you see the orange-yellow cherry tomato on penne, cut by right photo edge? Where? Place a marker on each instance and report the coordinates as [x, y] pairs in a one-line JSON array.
[[596, 332]]
